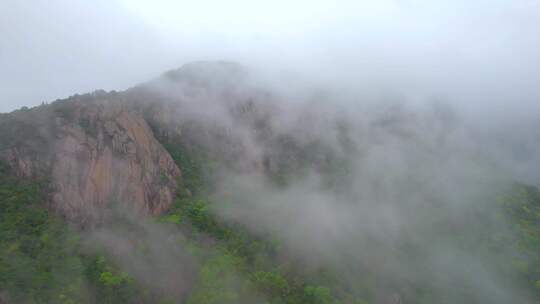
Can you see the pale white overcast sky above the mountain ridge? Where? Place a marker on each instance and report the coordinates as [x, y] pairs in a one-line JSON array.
[[470, 52]]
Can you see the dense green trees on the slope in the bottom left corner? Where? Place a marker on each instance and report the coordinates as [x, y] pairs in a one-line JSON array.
[[41, 257]]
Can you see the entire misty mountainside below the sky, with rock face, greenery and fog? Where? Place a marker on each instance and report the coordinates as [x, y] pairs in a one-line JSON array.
[[210, 185]]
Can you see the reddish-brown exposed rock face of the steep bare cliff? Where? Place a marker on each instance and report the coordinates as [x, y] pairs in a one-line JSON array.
[[119, 161]]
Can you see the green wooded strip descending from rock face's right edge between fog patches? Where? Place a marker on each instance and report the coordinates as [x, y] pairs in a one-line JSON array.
[[241, 267]]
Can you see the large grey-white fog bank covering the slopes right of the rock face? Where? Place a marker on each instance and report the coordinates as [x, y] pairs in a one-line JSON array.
[[391, 188]]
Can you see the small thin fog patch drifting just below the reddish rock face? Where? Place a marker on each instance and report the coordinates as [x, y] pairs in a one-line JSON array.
[[148, 252]]
